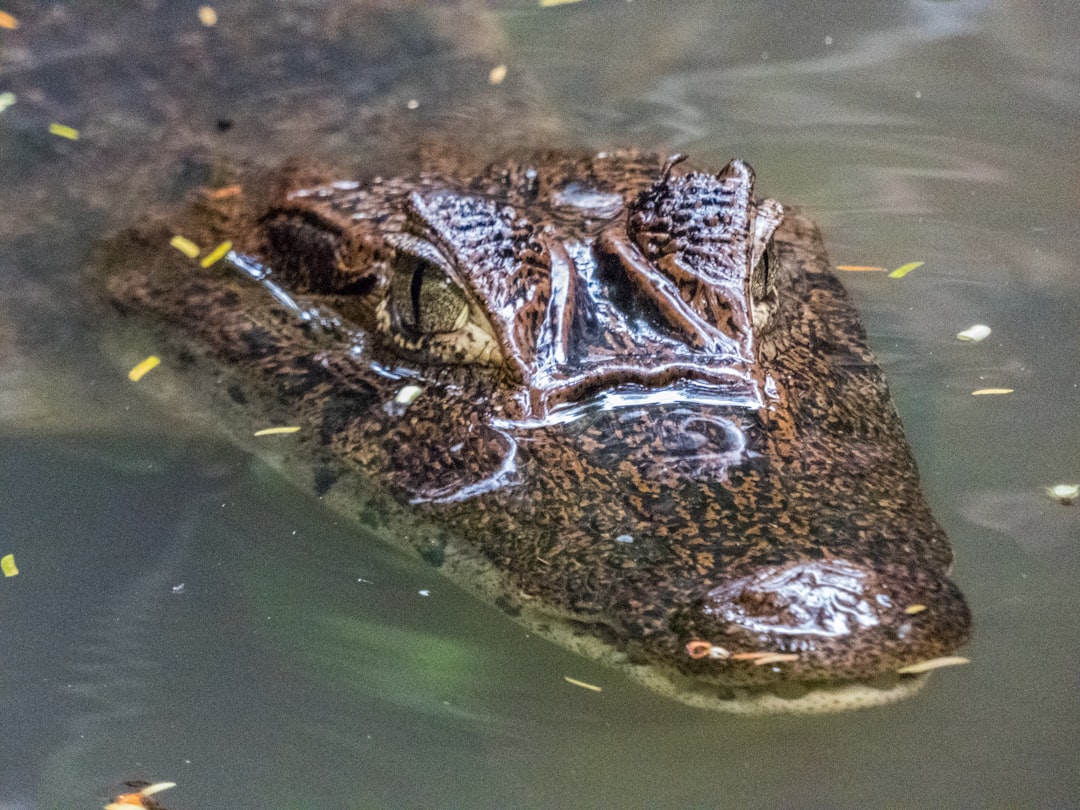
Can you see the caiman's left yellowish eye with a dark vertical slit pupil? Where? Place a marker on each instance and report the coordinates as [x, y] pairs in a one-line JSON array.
[[424, 299]]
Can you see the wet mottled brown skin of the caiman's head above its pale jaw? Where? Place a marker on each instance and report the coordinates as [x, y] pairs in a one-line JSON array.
[[661, 421]]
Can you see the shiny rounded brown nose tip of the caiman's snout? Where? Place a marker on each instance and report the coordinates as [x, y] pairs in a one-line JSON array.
[[828, 619]]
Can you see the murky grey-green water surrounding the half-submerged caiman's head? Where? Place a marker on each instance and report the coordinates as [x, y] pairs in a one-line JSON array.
[[183, 615]]
